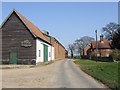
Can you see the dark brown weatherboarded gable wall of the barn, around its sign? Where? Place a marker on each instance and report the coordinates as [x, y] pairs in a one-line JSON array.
[[14, 32]]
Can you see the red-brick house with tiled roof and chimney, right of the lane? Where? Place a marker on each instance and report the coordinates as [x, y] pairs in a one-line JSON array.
[[103, 49]]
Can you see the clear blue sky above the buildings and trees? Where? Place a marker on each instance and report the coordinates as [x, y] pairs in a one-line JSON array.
[[66, 21]]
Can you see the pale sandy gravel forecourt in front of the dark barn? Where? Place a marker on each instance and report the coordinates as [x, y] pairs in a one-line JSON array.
[[36, 77]]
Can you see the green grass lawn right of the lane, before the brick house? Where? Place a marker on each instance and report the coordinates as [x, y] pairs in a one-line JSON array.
[[106, 72]]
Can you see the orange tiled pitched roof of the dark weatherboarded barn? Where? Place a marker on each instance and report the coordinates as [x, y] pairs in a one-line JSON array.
[[33, 29]]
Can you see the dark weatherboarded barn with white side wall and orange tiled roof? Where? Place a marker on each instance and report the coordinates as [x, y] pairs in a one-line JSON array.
[[23, 42]]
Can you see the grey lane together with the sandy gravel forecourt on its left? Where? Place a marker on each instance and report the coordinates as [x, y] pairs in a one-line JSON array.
[[60, 74]]
